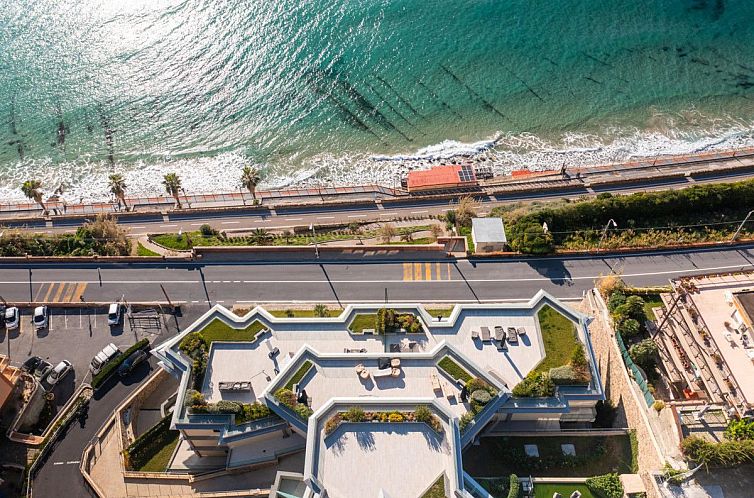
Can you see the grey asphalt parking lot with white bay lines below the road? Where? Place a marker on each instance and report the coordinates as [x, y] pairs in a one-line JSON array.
[[77, 334]]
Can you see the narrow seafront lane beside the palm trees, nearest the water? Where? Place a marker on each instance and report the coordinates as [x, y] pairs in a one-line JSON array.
[[284, 217]]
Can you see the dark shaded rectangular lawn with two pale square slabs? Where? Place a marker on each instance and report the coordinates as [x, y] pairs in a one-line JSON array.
[[595, 455]]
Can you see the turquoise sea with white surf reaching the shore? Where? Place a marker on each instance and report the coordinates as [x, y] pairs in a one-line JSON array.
[[316, 88]]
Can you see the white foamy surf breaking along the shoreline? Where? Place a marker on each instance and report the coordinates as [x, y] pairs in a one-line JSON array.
[[87, 180]]
